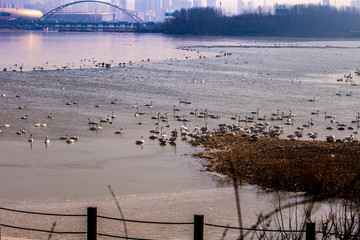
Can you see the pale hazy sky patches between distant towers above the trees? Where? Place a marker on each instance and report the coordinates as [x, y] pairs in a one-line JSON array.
[[231, 5]]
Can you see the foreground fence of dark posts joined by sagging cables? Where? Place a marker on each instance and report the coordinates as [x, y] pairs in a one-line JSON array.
[[198, 225]]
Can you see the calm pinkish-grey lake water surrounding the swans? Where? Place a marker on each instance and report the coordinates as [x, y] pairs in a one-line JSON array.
[[269, 74]]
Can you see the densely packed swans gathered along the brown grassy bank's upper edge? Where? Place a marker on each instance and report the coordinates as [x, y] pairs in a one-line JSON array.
[[253, 126]]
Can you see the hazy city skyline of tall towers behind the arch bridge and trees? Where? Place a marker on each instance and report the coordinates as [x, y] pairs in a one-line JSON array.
[[154, 10]]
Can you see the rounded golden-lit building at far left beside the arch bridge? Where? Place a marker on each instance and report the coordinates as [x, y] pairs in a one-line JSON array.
[[13, 13]]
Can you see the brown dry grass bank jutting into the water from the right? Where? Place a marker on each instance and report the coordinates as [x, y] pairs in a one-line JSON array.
[[326, 170]]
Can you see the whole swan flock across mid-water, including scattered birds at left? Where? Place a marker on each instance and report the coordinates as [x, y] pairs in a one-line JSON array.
[[252, 125]]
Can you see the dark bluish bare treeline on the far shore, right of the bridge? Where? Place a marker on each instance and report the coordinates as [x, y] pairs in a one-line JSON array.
[[297, 20]]
